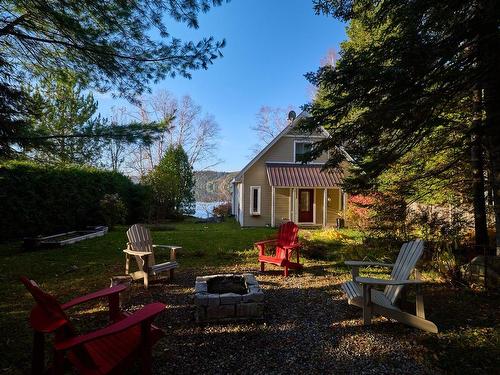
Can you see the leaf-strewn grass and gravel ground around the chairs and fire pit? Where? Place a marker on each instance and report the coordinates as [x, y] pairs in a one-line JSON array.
[[302, 310]]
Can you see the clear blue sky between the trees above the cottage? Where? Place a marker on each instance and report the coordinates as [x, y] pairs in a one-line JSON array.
[[271, 44]]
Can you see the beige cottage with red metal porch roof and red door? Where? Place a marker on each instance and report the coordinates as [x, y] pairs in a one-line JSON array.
[[275, 186]]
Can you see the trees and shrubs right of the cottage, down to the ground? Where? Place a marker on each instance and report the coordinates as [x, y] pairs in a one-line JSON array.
[[413, 100]]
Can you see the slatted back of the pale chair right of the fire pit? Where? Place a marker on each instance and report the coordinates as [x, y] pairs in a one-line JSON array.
[[407, 259]]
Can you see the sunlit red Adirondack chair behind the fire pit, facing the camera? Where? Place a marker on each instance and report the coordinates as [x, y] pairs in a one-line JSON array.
[[286, 243]]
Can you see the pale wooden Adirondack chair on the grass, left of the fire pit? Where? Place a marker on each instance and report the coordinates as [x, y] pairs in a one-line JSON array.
[[140, 246]]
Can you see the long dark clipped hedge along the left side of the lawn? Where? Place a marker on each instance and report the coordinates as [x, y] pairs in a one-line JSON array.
[[37, 199]]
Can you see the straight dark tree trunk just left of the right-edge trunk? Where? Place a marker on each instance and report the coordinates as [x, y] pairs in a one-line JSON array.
[[477, 162]]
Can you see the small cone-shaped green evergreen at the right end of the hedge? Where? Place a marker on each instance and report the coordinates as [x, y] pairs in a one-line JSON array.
[[172, 184]]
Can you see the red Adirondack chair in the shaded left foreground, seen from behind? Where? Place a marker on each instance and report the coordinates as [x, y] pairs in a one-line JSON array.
[[106, 350]]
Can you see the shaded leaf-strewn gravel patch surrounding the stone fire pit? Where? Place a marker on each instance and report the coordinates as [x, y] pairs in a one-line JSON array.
[[309, 327]]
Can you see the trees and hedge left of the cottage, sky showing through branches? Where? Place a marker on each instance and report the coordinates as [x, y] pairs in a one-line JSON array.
[[53, 141]]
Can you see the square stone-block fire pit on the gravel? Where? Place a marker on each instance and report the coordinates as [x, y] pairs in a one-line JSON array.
[[228, 297]]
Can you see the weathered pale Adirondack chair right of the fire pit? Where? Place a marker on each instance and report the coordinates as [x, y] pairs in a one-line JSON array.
[[360, 293]]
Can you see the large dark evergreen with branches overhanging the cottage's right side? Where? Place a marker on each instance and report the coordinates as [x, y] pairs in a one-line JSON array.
[[412, 82]]
